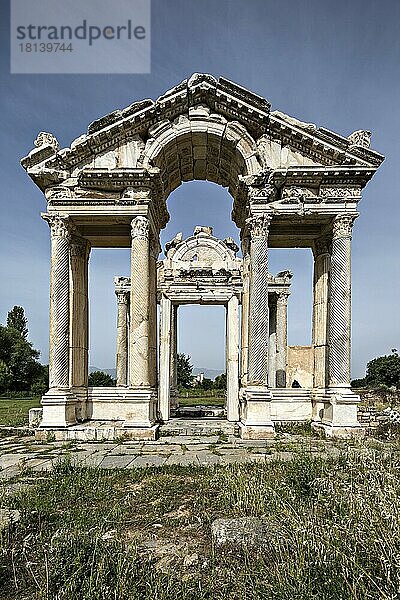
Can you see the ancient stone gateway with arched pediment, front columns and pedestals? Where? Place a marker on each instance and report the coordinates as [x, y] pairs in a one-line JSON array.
[[292, 184]]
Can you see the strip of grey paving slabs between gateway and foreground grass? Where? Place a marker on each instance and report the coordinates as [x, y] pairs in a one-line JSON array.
[[18, 454]]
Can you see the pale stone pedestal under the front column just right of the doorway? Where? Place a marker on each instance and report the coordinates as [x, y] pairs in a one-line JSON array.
[[255, 413]]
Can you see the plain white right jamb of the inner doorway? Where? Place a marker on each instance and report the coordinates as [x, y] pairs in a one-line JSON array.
[[232, 359]]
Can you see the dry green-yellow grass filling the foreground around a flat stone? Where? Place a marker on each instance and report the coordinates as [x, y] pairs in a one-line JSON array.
[[94, 534]]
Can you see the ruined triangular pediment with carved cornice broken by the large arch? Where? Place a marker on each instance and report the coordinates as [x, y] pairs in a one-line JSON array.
[[123, 138]]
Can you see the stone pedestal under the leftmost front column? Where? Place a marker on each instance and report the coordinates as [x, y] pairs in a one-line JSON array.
[[59, 409]]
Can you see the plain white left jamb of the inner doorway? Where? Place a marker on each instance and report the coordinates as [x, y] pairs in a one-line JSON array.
[[165, 356]]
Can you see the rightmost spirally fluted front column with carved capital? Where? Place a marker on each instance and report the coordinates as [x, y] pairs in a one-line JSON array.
[[340, 303]]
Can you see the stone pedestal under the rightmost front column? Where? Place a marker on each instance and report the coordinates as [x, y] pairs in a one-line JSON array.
[[339, 413]]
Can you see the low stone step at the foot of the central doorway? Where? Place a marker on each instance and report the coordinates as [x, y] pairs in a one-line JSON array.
[[205, 426]]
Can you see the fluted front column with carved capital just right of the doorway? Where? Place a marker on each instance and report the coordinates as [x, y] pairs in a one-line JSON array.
[[258, 308]]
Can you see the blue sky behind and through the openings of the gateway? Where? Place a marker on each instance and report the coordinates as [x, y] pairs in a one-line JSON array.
[[334, 63]]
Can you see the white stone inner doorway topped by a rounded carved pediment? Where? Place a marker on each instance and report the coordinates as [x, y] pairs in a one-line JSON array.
[[200, 270]]
